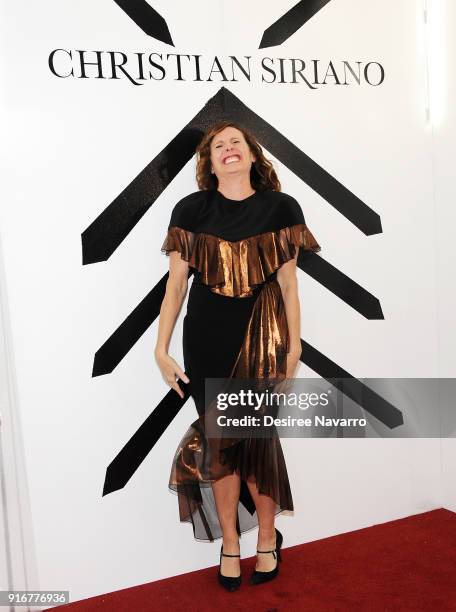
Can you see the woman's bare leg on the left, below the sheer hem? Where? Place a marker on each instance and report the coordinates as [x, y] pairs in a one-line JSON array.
[[226, 493]]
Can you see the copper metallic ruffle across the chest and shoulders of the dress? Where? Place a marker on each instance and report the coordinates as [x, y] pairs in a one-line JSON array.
[[233, 268]]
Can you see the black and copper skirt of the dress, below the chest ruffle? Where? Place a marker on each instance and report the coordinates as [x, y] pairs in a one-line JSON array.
[[227, 337]]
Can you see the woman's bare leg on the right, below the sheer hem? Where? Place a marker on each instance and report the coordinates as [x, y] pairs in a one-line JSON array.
[[265, 507]]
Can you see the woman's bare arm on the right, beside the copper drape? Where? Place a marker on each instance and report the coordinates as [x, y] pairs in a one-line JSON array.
[[287, 279]]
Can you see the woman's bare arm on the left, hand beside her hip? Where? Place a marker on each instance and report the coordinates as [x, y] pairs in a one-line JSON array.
[[176, 289]]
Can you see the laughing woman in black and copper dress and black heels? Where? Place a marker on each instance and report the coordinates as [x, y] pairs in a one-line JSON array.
[[241, 236]]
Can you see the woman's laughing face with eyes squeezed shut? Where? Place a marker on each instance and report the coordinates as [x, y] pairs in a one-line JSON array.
[[230, 153]]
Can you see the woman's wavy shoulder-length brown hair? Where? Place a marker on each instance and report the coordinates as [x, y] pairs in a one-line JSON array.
[[262, 173]]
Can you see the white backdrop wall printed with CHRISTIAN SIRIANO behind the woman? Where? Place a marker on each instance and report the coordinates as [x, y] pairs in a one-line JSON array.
[[72, 145]]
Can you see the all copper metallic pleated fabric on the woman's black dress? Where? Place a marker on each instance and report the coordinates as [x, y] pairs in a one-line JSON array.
[[233, 269]]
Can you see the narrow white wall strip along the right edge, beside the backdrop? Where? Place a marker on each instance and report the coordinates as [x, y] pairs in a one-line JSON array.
[[443, 94]]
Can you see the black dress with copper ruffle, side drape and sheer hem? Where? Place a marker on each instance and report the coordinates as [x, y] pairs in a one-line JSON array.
[[235, 327]]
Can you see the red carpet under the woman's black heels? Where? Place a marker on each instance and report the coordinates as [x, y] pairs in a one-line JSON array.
[[407, 564]]
